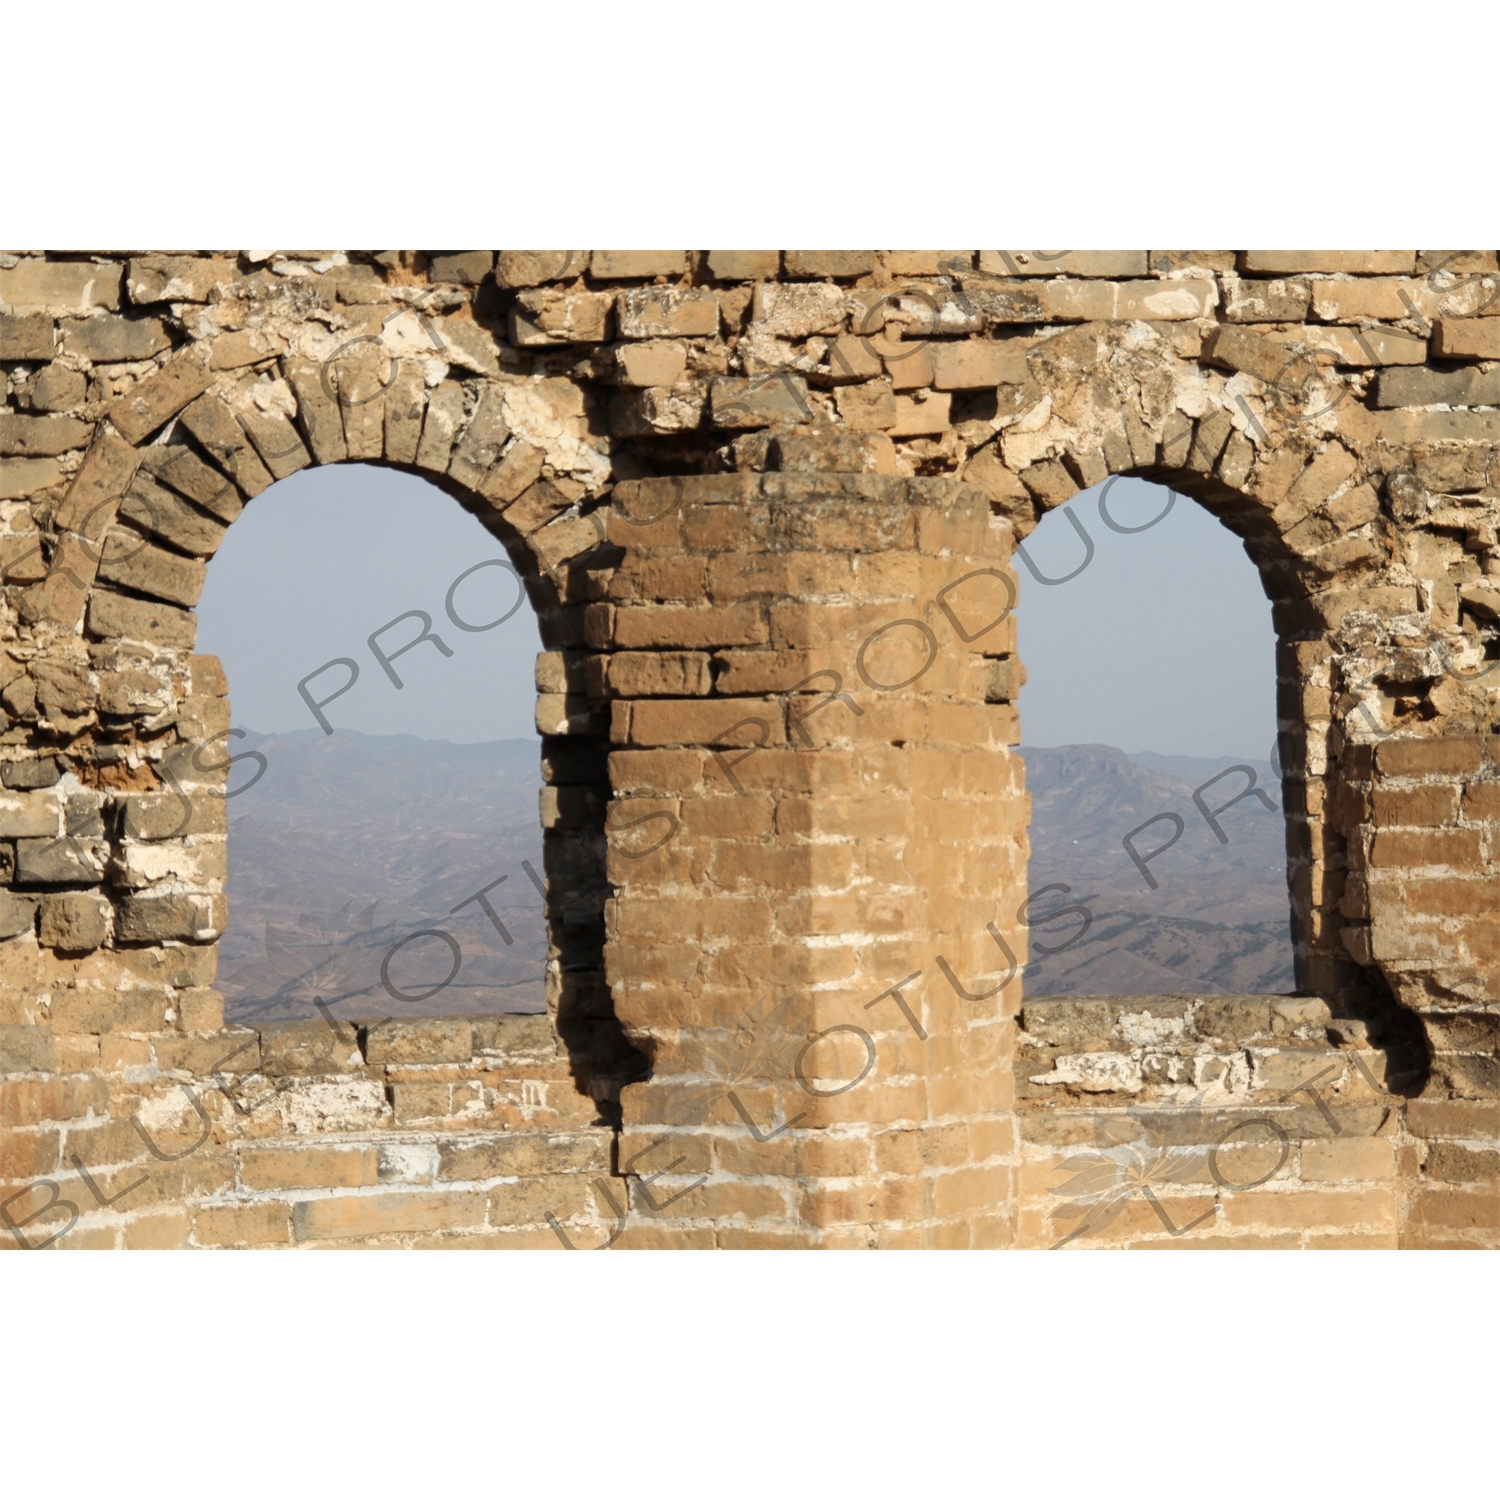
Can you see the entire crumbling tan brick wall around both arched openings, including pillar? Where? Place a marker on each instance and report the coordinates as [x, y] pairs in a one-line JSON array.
[[764, 505]]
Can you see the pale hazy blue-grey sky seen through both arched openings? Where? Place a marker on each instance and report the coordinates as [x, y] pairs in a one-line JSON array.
[[1163, 643]]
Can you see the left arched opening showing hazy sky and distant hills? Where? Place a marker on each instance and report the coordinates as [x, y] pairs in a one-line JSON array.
[[385, 850]]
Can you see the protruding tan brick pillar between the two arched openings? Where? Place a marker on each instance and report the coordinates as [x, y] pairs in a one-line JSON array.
[[818, 853]]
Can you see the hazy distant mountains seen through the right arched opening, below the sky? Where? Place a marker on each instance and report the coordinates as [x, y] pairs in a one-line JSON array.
[[1220, 917]]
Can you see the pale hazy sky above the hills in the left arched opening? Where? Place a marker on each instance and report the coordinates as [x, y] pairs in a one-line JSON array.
[[323, 560]]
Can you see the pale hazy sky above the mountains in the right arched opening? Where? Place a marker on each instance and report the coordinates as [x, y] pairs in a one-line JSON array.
[[1163, 643]]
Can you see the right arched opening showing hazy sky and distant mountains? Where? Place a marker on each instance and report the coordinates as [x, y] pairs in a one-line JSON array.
[[1150, 734]]
